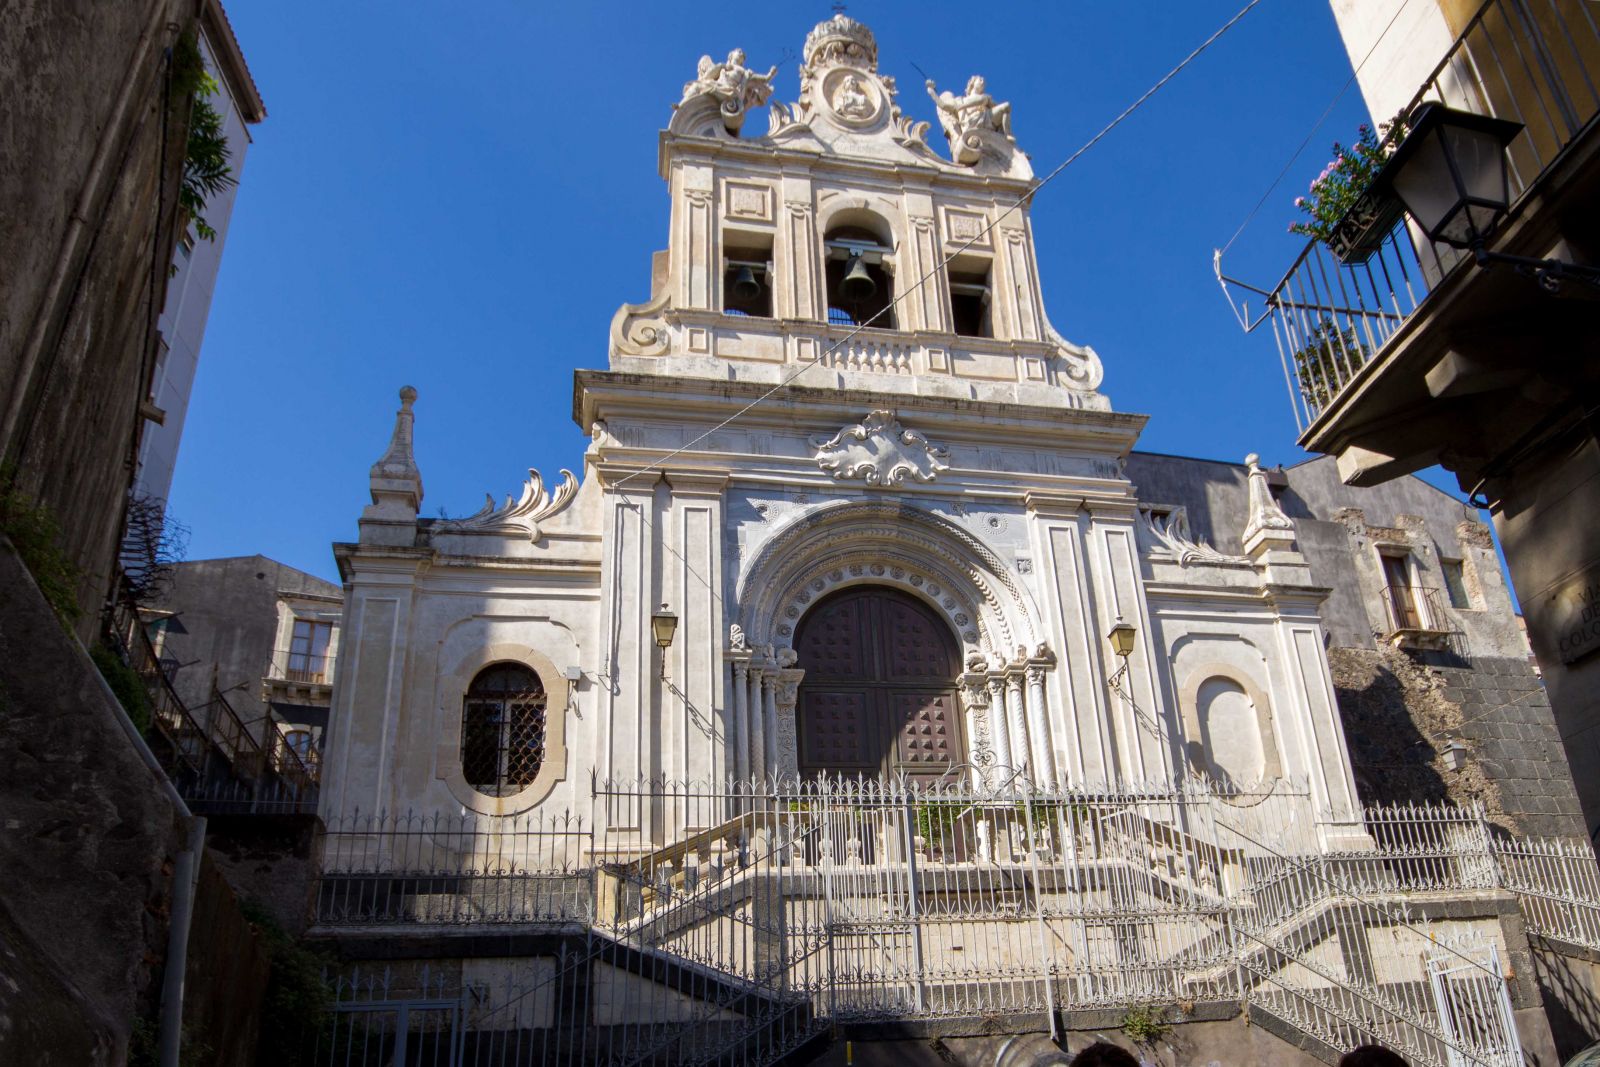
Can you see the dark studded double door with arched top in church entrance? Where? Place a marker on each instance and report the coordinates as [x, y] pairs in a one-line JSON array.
[[879, 692]]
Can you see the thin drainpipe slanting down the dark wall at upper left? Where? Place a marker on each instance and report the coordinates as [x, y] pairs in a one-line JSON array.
[[79, 223]]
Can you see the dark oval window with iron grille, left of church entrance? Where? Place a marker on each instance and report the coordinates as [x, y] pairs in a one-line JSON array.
[[503, 730]]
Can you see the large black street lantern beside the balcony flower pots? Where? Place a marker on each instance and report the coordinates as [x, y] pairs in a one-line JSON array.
[[1450, 174]]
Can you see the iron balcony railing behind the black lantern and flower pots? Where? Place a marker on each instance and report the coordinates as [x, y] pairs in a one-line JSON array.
[[1530, 62]]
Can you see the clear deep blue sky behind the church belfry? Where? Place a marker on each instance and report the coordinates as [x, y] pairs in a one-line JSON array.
[[458, 198]]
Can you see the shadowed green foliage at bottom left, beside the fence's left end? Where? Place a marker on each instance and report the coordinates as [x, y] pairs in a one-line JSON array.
[[298, 1004]]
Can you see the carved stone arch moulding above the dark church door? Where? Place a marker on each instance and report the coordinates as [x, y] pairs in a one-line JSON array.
[[887, 543]]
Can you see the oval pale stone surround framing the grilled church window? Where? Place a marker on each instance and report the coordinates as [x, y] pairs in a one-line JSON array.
[[454, 681]]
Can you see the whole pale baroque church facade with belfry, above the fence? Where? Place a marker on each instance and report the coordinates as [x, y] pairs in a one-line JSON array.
[[884, 500]]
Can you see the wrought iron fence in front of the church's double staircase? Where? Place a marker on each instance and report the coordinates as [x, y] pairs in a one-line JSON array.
[[785, 908]]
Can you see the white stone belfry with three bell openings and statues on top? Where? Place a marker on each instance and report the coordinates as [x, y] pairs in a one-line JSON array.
[[842, 238]]
